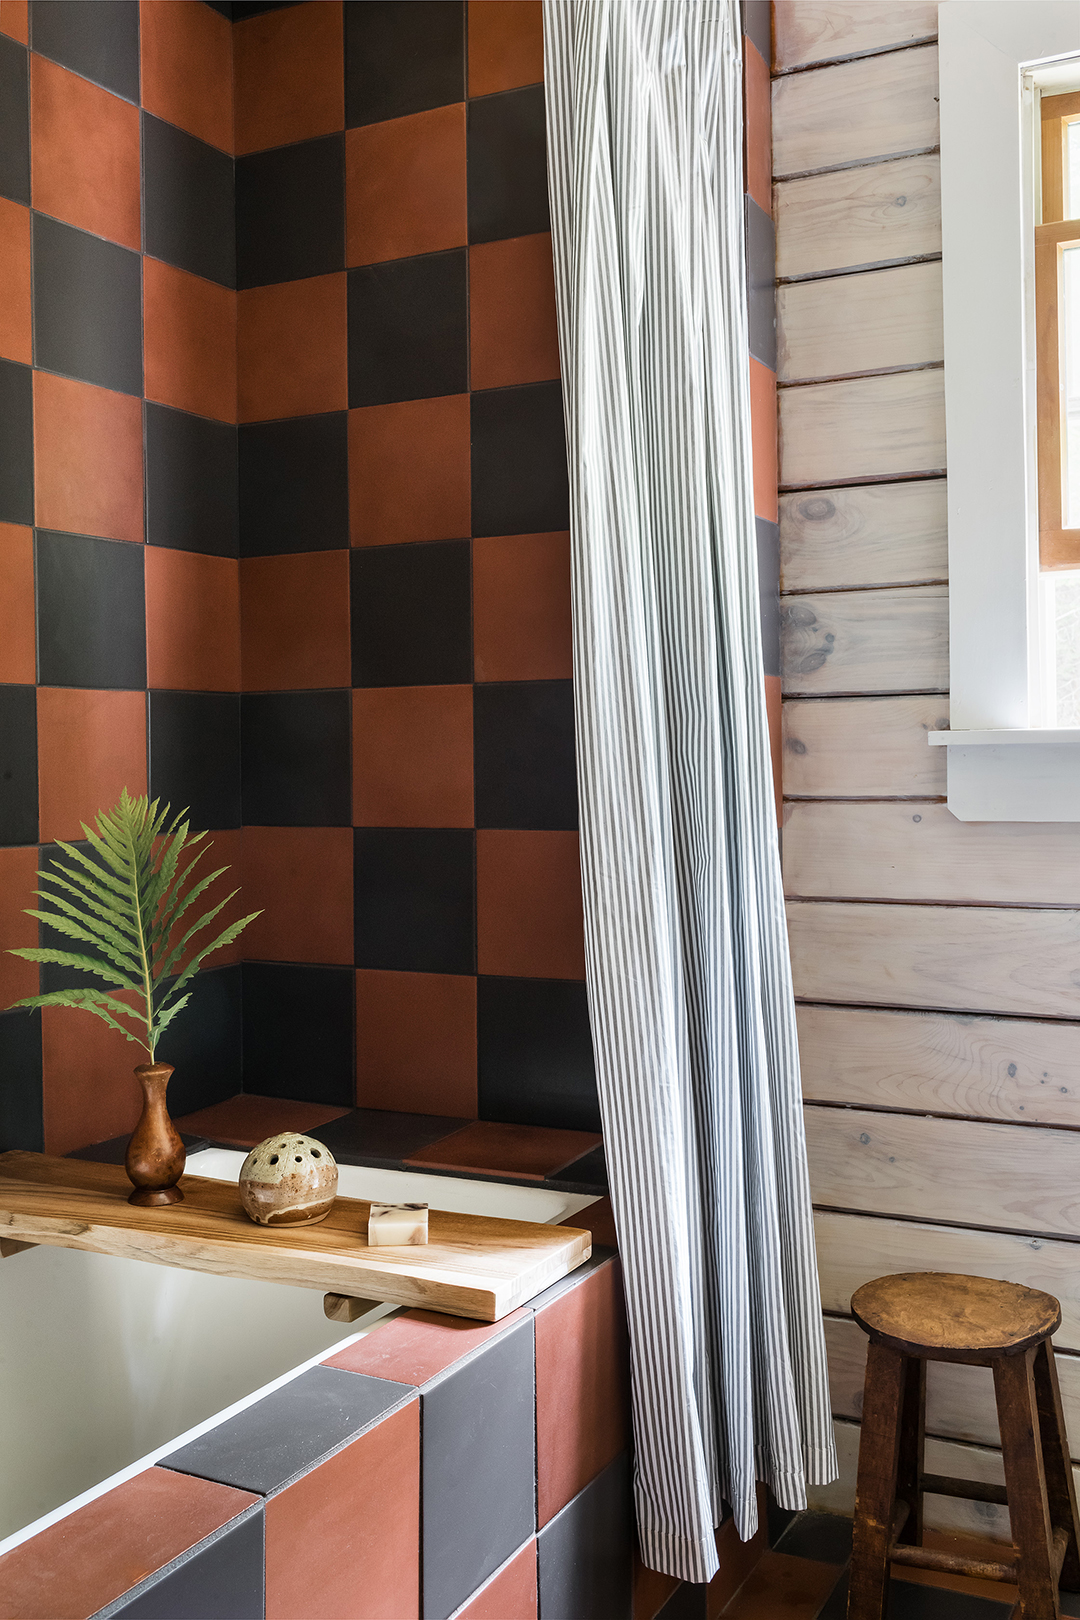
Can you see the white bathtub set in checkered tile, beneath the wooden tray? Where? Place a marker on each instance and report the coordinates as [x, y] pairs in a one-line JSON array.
[[104, 1363]]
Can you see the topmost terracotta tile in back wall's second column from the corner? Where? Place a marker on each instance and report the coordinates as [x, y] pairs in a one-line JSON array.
[[406, 187]]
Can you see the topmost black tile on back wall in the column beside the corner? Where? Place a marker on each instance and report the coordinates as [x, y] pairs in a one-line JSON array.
[[291, 213]]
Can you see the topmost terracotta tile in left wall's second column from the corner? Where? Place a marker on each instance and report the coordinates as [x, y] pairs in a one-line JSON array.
[[85, 155]]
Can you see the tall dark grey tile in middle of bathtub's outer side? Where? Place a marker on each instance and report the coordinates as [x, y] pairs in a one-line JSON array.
[[478, 1426]]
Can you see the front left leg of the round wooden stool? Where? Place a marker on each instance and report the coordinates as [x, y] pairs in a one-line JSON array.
[[875, 1491]]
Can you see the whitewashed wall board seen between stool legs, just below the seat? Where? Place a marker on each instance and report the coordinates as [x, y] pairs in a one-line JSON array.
[[959, 1400]]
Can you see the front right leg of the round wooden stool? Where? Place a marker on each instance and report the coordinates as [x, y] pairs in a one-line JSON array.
[[1026, 1483]]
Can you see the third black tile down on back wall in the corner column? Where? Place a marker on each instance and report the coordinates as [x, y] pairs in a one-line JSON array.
[[296, 751]]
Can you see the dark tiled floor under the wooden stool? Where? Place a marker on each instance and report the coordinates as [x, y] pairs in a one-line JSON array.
[[804, 1577]]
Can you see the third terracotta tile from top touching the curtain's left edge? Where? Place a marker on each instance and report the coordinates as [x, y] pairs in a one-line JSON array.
[[522, 623]]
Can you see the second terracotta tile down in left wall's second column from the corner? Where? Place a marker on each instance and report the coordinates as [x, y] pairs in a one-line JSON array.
[[88, 459]]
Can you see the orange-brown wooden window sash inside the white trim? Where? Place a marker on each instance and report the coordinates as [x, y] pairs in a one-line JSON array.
[[1060, 547]]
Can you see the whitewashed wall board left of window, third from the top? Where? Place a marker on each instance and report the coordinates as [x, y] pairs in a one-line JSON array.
[[859, 216]]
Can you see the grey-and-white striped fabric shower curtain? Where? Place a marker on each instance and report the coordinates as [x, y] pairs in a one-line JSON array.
[[689, 976]]
